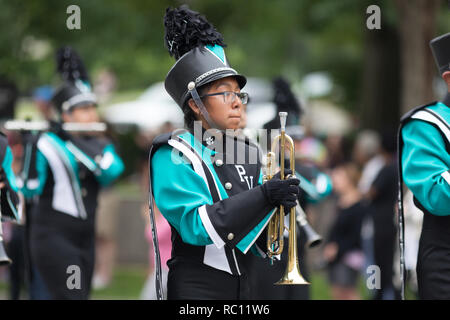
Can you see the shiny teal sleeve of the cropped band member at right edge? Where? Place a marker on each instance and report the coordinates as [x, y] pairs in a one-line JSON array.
[[424, 160]]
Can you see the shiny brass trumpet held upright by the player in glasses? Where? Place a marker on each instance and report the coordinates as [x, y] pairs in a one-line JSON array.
[[275, 228]]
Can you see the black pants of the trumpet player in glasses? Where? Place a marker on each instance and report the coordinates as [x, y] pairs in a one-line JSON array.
[[196, 281]]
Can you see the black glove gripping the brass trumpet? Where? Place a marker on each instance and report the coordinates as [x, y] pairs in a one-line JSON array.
[[282, 192]]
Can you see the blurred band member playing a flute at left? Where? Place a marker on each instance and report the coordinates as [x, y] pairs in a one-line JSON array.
[[71, 169]]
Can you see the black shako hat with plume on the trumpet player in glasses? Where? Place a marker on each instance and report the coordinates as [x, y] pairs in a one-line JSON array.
[[198, 48]]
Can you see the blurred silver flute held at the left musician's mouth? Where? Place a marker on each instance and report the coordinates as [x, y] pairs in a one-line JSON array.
[[23, 125]]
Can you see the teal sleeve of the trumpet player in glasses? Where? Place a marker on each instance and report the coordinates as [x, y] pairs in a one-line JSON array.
[[178, 193]]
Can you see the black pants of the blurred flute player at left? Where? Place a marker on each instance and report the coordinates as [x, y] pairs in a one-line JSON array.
[[63, 252]]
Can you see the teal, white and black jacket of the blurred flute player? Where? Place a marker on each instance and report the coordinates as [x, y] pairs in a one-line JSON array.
[[70, 174]]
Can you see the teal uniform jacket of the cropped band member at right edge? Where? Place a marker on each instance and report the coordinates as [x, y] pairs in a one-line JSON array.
[[425, 156]]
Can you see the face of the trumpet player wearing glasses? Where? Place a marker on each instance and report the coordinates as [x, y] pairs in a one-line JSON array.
[[225, 115]]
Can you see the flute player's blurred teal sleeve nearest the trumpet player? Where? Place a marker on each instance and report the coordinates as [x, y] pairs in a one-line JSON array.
[[111, 166]]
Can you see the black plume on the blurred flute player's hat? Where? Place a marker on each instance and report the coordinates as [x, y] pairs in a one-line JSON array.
[[70, 66]]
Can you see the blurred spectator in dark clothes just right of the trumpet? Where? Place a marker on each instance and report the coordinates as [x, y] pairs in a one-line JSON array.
[[343, 248]]
